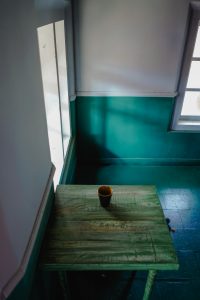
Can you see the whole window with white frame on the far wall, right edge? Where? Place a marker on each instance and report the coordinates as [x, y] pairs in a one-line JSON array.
[[187, 108]]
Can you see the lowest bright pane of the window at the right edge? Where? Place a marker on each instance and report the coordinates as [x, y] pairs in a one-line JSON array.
[[191, 104]]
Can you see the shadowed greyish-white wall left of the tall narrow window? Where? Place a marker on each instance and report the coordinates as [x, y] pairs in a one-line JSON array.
[[25, 163]]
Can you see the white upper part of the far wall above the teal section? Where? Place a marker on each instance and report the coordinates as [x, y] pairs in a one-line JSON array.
[[130, 46]]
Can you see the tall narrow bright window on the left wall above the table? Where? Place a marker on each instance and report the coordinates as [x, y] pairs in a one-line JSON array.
[[51, 39]]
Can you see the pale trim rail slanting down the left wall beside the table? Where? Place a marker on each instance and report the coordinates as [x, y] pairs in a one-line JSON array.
[[20, 273]]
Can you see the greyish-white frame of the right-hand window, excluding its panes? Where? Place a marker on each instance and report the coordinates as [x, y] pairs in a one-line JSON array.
[[187, 123]]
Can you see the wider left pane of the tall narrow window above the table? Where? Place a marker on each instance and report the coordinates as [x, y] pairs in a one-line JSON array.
[[51, 97]]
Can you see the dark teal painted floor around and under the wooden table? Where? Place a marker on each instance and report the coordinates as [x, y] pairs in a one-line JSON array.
[[179, 191]]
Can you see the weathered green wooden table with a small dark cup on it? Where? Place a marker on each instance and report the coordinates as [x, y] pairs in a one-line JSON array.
[[131, 234]]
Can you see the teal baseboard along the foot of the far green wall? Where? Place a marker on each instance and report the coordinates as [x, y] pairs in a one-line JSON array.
[[143, 161]]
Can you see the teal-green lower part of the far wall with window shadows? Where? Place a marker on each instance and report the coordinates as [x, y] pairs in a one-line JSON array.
[[131, 128]]
